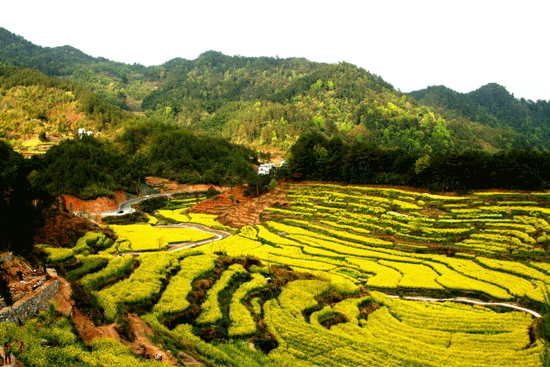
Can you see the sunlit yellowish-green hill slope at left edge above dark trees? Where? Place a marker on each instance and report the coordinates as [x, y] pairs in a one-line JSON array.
[[32, 103]]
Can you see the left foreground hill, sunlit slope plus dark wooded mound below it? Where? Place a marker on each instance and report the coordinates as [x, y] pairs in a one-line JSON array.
[[131, 145]]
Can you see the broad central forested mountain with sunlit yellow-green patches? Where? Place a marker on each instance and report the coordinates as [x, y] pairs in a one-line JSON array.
[[269, 103]]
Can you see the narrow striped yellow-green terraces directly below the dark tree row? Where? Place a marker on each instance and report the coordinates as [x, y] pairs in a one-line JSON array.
[[483, 224]]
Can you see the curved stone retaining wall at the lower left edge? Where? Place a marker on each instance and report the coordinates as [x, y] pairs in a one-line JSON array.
[[32, 303]]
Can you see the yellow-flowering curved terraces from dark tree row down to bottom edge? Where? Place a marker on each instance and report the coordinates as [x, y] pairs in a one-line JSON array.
[[308, 287]]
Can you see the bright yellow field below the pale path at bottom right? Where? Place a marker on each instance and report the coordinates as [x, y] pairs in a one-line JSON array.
[[399, 333]]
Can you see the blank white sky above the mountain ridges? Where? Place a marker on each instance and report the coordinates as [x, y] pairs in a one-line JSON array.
[[411, 44]]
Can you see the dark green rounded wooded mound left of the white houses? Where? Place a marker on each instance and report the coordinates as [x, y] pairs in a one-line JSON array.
[[90, 167]]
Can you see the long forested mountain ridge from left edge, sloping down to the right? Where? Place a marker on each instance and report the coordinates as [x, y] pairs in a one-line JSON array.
[[267, 102]]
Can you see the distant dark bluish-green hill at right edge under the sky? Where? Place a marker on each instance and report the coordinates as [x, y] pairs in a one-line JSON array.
[[492, 105]]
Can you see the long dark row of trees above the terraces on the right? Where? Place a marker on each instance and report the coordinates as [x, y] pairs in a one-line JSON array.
[[315, 157]]
